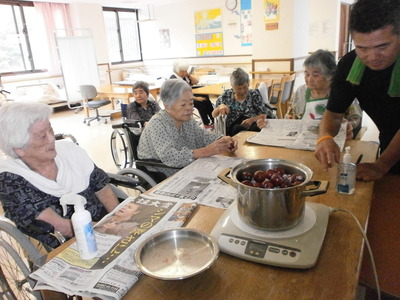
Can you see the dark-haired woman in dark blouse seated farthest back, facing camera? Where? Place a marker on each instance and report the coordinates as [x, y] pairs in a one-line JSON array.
[[142, 109]]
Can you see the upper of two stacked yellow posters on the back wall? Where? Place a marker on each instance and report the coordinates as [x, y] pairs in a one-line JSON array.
[[208, 20]]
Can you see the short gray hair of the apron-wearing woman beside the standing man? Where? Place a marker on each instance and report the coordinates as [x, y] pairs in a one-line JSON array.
[[323, 60]]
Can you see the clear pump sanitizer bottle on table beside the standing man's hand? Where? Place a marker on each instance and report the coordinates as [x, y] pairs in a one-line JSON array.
[[346, 177]]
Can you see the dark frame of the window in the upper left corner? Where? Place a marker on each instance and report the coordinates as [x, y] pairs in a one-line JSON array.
[[25, 31]]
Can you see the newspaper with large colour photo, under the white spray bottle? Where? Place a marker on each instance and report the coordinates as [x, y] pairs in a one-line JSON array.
[[113, 271]]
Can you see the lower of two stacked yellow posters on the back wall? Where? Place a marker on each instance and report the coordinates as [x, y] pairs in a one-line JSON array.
[[209, 44]]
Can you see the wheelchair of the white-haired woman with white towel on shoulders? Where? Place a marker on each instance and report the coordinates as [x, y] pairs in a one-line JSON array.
[[20, 254]]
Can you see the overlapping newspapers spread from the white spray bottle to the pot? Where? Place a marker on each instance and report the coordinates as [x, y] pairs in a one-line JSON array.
[[113, 271]]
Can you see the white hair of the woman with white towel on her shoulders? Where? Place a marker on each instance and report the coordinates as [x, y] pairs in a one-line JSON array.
[[15, 121]]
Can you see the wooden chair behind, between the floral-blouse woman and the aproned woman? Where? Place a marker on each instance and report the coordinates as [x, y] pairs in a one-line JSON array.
[[282, 93]]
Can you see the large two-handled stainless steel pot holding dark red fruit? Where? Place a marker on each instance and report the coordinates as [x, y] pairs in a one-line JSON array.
[[273, 209]]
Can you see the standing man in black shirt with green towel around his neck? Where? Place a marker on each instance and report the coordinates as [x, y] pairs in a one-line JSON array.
[[370, 73]]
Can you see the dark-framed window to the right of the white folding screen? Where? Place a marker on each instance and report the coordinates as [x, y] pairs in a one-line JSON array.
[[123, 38]]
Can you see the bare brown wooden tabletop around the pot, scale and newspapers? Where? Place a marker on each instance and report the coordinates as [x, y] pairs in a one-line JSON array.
[[335, 276]]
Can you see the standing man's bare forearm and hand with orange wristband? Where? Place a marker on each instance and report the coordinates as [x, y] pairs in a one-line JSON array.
[[327, 151]]
